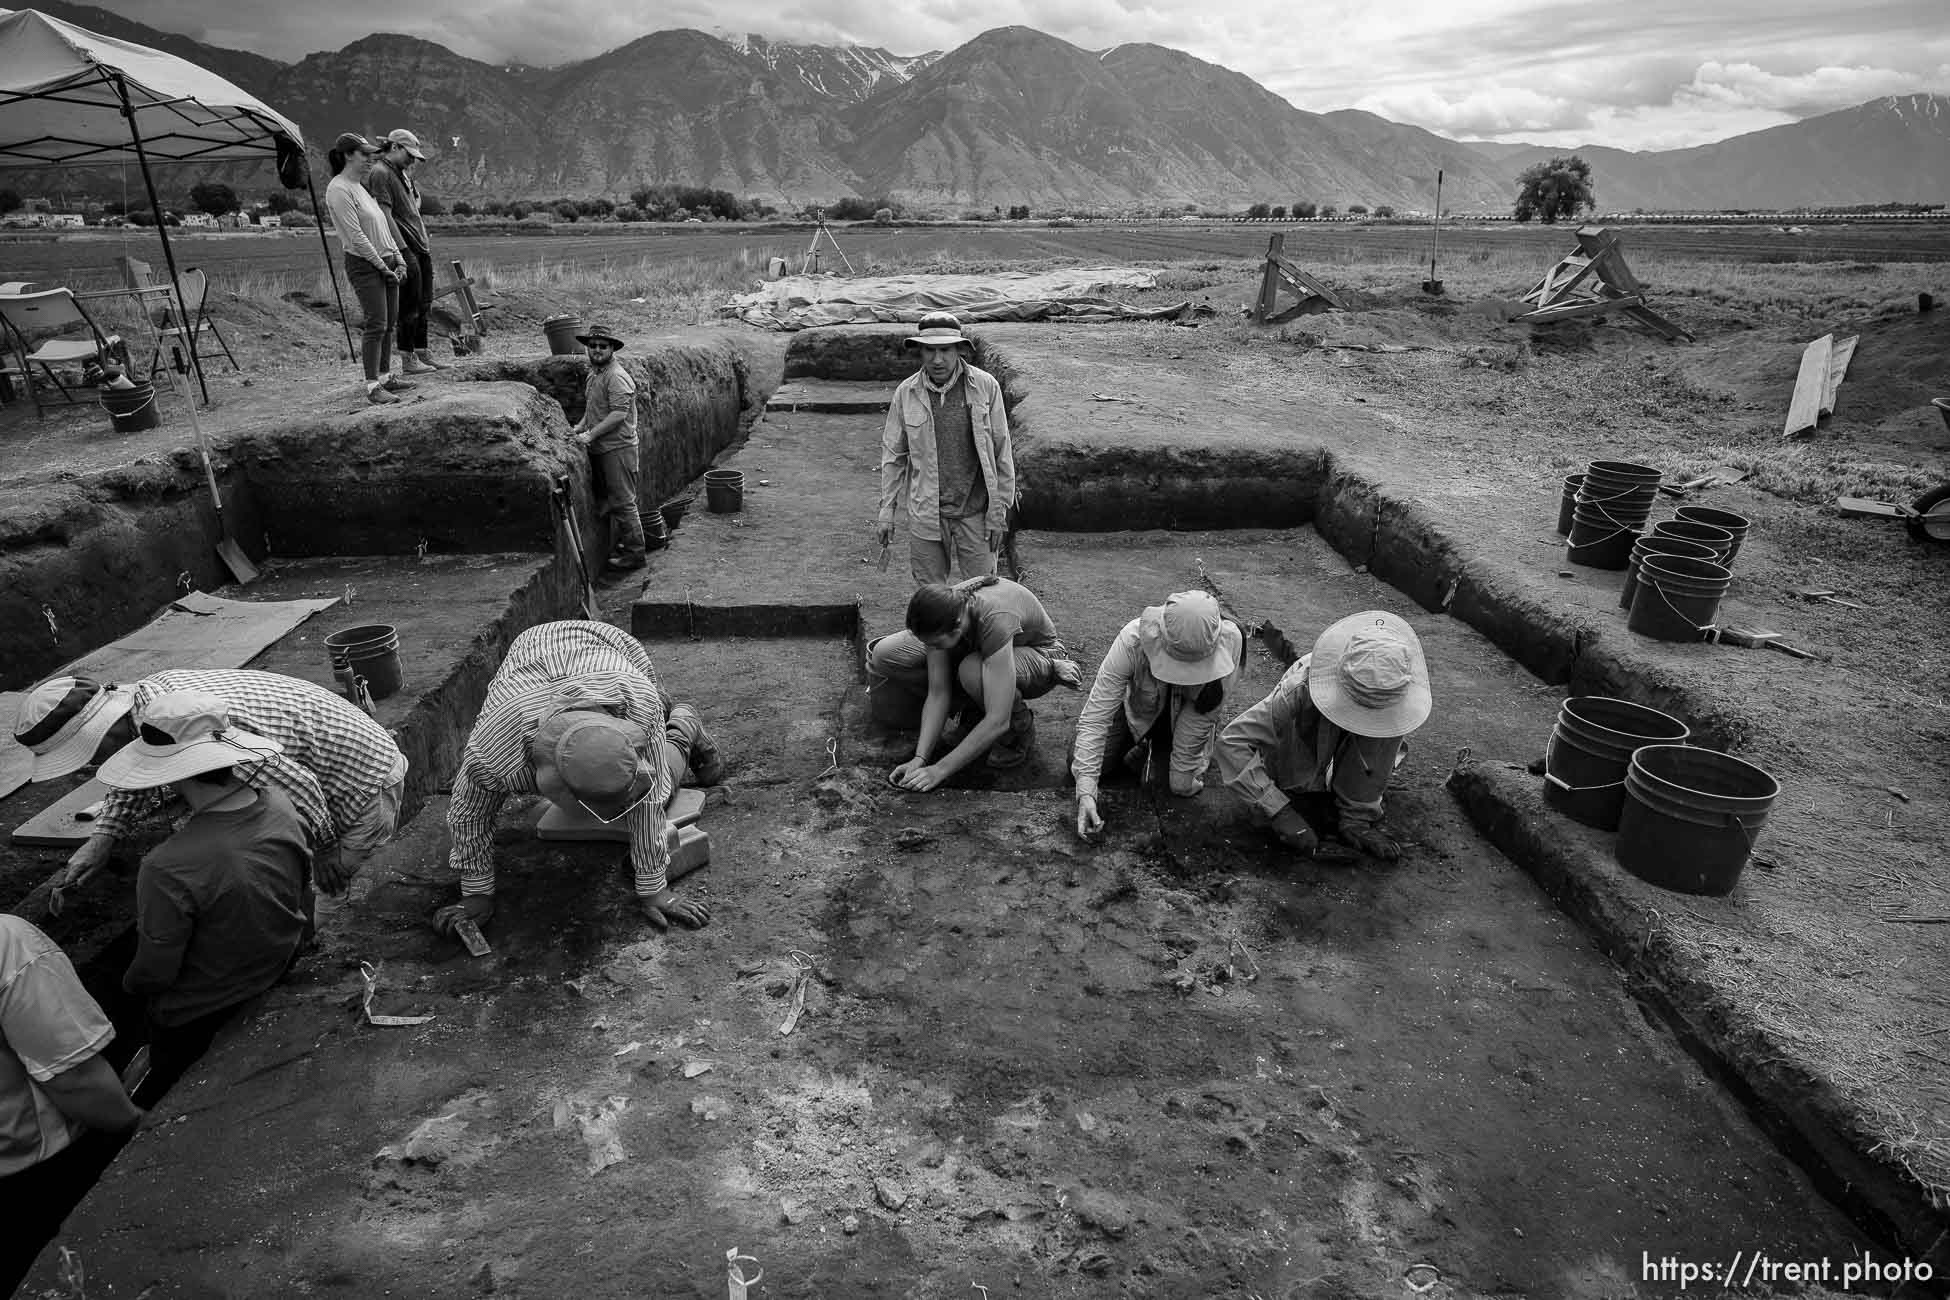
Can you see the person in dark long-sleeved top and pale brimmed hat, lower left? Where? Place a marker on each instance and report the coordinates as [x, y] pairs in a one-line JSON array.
[[223, 905]]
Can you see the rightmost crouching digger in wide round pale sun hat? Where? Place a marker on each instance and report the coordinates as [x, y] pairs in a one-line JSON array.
[[1315, 757]]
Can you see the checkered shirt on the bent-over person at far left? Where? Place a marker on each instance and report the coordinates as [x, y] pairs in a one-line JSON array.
[[334, 761]]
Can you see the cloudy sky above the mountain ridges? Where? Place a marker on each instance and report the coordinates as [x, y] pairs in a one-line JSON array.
[[1625, 73]]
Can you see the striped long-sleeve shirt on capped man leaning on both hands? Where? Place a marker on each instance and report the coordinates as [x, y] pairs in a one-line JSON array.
[[549, 666]]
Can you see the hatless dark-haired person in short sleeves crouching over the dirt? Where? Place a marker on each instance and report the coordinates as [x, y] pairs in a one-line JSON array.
[[984, 646]]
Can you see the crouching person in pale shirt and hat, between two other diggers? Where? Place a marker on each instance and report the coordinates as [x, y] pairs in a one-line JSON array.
[[1157, 695]]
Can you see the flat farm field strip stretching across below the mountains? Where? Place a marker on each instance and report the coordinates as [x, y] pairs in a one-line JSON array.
[[89, 260]]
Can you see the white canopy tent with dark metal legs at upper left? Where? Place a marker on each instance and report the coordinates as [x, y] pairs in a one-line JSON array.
[[75, 98]]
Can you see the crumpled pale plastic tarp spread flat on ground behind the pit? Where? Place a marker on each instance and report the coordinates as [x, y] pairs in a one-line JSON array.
[[1070, 295]]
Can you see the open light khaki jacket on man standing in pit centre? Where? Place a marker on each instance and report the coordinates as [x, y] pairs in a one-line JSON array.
[[910, 467]]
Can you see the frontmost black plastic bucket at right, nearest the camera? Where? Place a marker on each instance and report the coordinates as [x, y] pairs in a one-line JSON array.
[[1692, 818]]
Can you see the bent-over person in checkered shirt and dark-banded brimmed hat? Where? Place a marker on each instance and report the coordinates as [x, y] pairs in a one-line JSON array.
[[338, 767]]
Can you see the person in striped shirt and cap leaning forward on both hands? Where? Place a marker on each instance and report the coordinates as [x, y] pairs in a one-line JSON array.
[[576, 716]]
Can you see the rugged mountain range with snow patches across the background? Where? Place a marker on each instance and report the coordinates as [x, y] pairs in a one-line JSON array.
[[1013, 116]]
